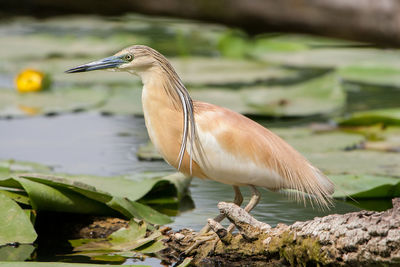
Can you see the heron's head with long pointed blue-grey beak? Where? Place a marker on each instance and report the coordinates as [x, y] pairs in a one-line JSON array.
[[137, 59]]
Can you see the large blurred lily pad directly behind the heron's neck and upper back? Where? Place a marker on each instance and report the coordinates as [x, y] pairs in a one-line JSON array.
[[322, 95]]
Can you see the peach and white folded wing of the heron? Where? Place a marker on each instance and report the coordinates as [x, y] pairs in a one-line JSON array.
[[240, 151]]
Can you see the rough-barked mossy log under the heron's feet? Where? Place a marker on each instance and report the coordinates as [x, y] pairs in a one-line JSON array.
[[355, 239]]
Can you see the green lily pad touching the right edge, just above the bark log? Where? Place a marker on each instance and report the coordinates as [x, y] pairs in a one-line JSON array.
[[365, 186]]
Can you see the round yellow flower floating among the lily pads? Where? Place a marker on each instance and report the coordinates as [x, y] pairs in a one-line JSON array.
[[31, 80]]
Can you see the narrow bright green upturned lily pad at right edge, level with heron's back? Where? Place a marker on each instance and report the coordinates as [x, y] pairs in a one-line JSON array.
[[383, 116]]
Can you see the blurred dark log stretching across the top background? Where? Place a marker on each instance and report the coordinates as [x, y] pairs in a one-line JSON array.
[[362, 20]]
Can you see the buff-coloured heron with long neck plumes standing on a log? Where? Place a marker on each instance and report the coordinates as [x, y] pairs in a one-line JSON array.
[[211, 142]]
